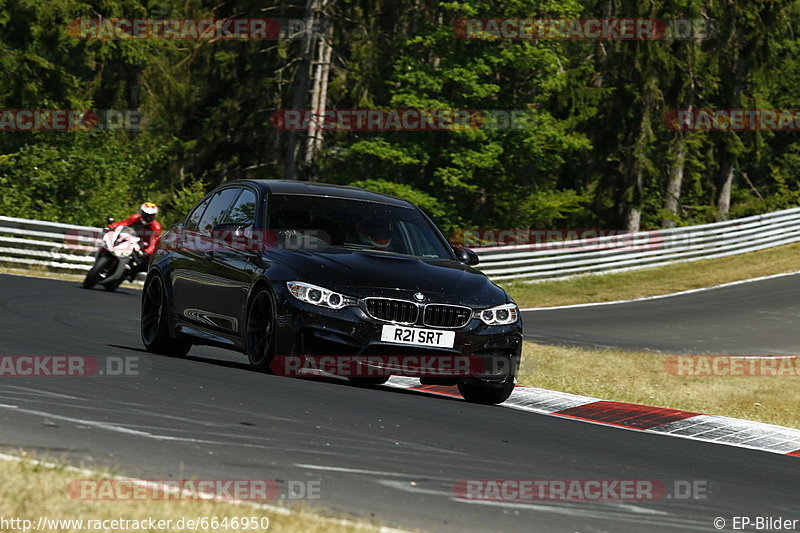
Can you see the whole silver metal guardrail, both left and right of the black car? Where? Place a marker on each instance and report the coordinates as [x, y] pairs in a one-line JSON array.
[[70, 248]]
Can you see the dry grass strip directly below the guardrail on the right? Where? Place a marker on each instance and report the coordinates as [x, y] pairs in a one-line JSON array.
[[655, 281]]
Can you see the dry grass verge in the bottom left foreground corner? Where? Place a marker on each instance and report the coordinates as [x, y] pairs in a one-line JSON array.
[[30, 491]]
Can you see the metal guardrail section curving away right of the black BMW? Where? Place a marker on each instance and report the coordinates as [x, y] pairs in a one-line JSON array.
[[644, 249]]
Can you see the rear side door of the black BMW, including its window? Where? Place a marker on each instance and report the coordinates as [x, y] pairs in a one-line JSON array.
[[202, 287]]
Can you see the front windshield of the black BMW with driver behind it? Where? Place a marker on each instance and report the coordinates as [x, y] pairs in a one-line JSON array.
[[321, 222]]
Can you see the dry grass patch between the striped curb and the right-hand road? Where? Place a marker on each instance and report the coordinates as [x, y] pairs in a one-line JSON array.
[[642, 378]]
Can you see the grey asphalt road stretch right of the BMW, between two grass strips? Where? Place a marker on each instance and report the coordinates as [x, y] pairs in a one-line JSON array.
[[758, 318]]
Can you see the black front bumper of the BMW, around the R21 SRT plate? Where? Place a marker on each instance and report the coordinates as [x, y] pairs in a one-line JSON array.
[[305, 329]]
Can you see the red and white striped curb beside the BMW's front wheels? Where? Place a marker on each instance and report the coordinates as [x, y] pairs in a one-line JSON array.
[[631, 416]]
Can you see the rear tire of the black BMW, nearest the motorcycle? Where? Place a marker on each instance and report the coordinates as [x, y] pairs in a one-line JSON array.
[[155, 321]]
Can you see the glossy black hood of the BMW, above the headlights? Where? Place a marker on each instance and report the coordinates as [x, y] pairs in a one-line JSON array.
[[363, 273]]
